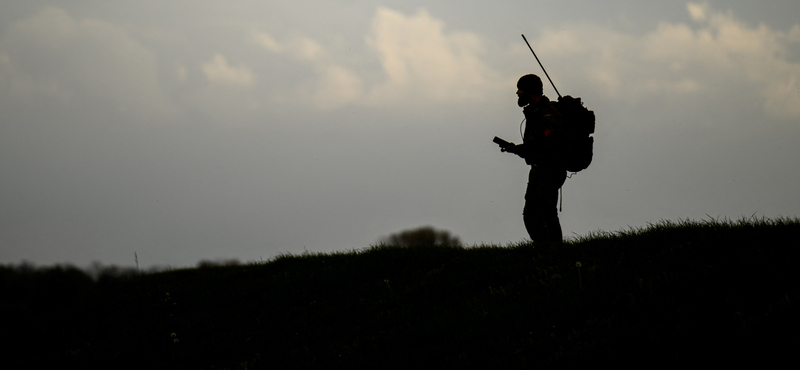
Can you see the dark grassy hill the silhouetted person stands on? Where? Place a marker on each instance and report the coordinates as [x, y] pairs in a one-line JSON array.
[[674, 292]]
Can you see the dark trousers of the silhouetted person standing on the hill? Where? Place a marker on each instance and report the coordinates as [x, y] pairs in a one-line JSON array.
[[540, 213]]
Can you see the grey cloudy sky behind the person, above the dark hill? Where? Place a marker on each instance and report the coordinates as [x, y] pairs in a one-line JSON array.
[[178, 131]]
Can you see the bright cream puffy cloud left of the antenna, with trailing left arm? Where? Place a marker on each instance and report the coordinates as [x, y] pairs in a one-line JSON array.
[[420, 63]]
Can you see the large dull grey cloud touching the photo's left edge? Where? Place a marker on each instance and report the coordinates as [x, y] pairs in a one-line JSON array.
[[51, 59]]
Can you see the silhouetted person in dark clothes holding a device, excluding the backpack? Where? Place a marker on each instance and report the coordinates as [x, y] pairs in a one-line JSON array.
[[539, 148]]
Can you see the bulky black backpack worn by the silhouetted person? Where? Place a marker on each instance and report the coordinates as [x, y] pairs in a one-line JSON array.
[[578, 125]]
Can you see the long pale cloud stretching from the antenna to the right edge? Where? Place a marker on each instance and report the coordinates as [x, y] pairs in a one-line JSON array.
[[716, 54]]
